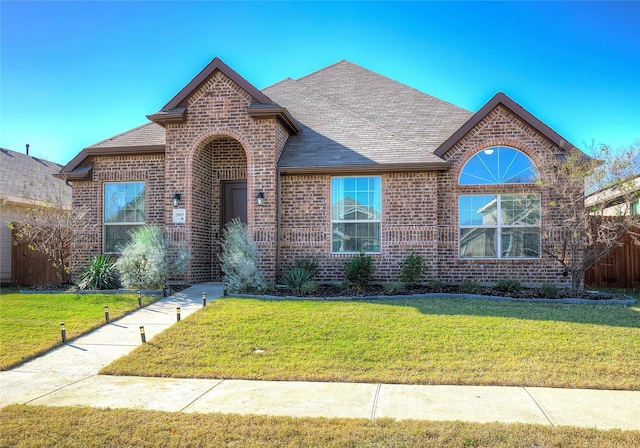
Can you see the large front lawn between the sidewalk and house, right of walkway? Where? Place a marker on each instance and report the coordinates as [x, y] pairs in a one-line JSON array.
[[420, 341]]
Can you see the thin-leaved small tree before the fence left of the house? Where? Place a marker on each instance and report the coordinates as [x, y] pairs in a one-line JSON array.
[[49, 221]]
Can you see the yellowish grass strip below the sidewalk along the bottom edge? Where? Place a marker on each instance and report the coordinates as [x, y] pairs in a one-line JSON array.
[[35, 426]]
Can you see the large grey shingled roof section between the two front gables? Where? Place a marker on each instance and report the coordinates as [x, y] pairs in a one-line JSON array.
[[354, 118]]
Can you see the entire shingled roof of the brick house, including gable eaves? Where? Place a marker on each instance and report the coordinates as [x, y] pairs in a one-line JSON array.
[[340, 118]]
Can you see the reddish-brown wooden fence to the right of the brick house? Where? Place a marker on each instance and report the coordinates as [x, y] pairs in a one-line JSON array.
[[619, 269]]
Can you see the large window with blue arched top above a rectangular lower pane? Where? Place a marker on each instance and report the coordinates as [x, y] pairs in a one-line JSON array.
[[497, 225]]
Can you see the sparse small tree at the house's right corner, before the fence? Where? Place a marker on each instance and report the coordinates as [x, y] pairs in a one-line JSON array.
[[581, 226]]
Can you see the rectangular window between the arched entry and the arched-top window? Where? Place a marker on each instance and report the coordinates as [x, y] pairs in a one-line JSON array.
[[356, 214]]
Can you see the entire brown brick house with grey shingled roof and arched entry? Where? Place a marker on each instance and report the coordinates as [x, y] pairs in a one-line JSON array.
[[340, 161]]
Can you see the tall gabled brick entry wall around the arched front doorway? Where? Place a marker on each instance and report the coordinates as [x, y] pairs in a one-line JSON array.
[[216, 116]]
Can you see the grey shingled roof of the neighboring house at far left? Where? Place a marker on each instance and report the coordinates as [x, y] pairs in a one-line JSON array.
[[18, 171]]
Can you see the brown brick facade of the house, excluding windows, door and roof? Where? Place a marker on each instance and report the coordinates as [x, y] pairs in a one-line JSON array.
[[219, 141]]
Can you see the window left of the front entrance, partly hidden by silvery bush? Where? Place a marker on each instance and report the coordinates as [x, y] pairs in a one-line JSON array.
[[123, 211]]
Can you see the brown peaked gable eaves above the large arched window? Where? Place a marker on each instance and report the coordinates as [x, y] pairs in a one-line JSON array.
[[502, 99]]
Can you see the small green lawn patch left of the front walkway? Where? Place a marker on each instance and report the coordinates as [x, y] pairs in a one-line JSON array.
[[30, 323]]
